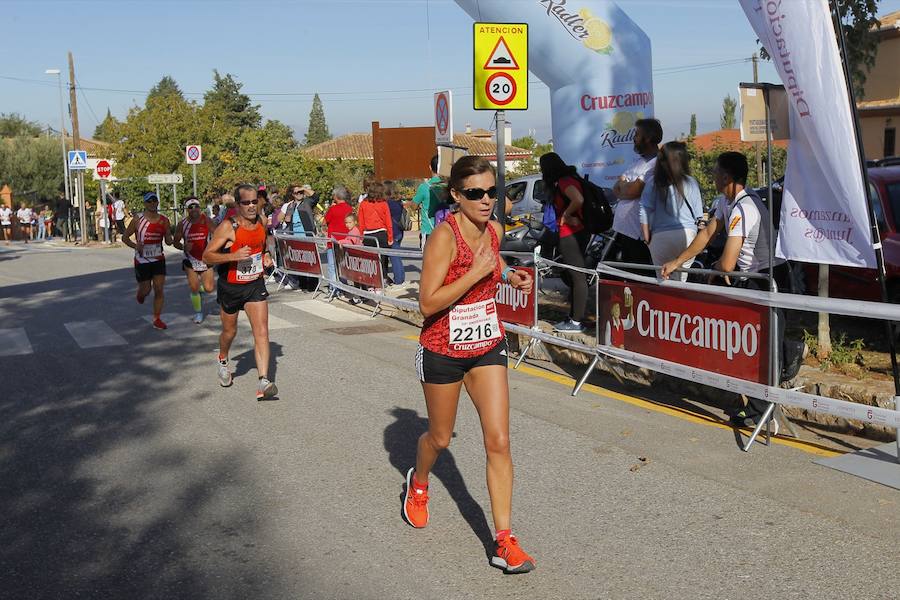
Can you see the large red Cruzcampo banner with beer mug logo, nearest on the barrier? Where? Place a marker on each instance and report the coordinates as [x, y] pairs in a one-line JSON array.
[[693, 329]]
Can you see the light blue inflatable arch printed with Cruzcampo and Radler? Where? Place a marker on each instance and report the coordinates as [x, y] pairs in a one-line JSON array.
[[597, 63]]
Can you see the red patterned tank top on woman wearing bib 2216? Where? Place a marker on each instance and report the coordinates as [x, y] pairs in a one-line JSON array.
[[436, 335]]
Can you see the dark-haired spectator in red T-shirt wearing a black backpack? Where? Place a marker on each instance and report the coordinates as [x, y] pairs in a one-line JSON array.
[[563, 188]]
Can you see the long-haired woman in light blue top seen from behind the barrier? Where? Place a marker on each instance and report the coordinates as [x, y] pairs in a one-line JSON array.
[[671, 206]]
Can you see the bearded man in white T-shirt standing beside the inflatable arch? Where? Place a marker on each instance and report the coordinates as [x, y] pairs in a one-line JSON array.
[[628, 190]]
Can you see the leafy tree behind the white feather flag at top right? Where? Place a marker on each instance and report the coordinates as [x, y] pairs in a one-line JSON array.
[[859, 21]]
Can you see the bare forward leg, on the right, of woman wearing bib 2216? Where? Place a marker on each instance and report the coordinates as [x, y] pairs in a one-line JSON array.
[[489, 389]]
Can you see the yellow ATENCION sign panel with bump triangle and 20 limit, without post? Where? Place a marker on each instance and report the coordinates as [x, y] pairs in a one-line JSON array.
[[500, 85]]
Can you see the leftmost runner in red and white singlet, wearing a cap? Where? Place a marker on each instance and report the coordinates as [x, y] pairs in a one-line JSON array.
[[150, 230]]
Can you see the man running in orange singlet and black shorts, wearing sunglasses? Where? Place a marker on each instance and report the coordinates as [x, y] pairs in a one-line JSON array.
[[238, 247]]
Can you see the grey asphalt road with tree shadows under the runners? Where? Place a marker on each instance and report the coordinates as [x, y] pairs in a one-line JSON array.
[[127, 472]]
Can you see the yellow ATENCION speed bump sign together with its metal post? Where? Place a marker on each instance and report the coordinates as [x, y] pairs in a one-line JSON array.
[[500, 74]]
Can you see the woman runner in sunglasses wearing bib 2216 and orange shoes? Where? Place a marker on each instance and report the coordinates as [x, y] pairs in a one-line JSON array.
[[462, 342]]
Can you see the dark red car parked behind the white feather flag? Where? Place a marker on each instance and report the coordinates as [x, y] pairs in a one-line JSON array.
[[862, 284]]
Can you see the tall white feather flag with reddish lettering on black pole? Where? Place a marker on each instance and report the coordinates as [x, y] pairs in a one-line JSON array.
[[824, 215]]
